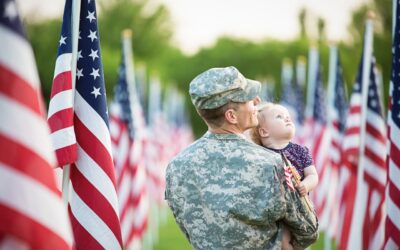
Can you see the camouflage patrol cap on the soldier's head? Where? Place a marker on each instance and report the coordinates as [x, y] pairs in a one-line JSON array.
[[217, 86]]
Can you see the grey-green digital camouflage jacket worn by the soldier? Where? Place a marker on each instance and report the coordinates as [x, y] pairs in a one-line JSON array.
[[228, 193]]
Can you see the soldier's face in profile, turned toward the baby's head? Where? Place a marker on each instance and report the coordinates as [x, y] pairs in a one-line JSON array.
[[247, 114]]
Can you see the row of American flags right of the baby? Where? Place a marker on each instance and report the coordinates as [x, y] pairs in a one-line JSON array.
[[355, 149]]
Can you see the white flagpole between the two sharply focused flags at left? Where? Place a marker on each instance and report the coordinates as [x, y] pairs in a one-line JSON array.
[[76, 9]]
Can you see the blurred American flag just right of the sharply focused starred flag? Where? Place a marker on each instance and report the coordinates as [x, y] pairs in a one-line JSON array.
[[127, 134]]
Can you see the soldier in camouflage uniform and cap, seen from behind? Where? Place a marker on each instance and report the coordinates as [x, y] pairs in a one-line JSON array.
[[224, 191]]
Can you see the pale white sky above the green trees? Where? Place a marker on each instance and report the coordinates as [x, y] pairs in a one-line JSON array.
[[198, 23]]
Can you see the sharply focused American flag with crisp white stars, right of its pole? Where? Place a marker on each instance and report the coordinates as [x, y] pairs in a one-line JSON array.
[[93, 204]]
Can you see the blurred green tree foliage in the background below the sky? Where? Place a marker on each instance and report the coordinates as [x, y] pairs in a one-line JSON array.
[[152, 46]]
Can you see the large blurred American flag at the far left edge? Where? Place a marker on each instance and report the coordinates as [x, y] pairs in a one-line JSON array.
[[32, 215]]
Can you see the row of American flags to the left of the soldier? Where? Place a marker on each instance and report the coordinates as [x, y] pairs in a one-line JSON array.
[[113, 162]]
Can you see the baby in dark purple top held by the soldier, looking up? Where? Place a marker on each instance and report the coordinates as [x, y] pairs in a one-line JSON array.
[[275, 132]]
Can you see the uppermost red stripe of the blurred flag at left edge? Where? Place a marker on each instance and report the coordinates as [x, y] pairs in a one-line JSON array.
[[18, 89]]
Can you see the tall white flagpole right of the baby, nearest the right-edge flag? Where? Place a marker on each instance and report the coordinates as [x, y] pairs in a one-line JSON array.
[[357, 219]]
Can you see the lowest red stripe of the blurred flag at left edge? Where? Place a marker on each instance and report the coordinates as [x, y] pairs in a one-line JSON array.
[[29, 230]]
